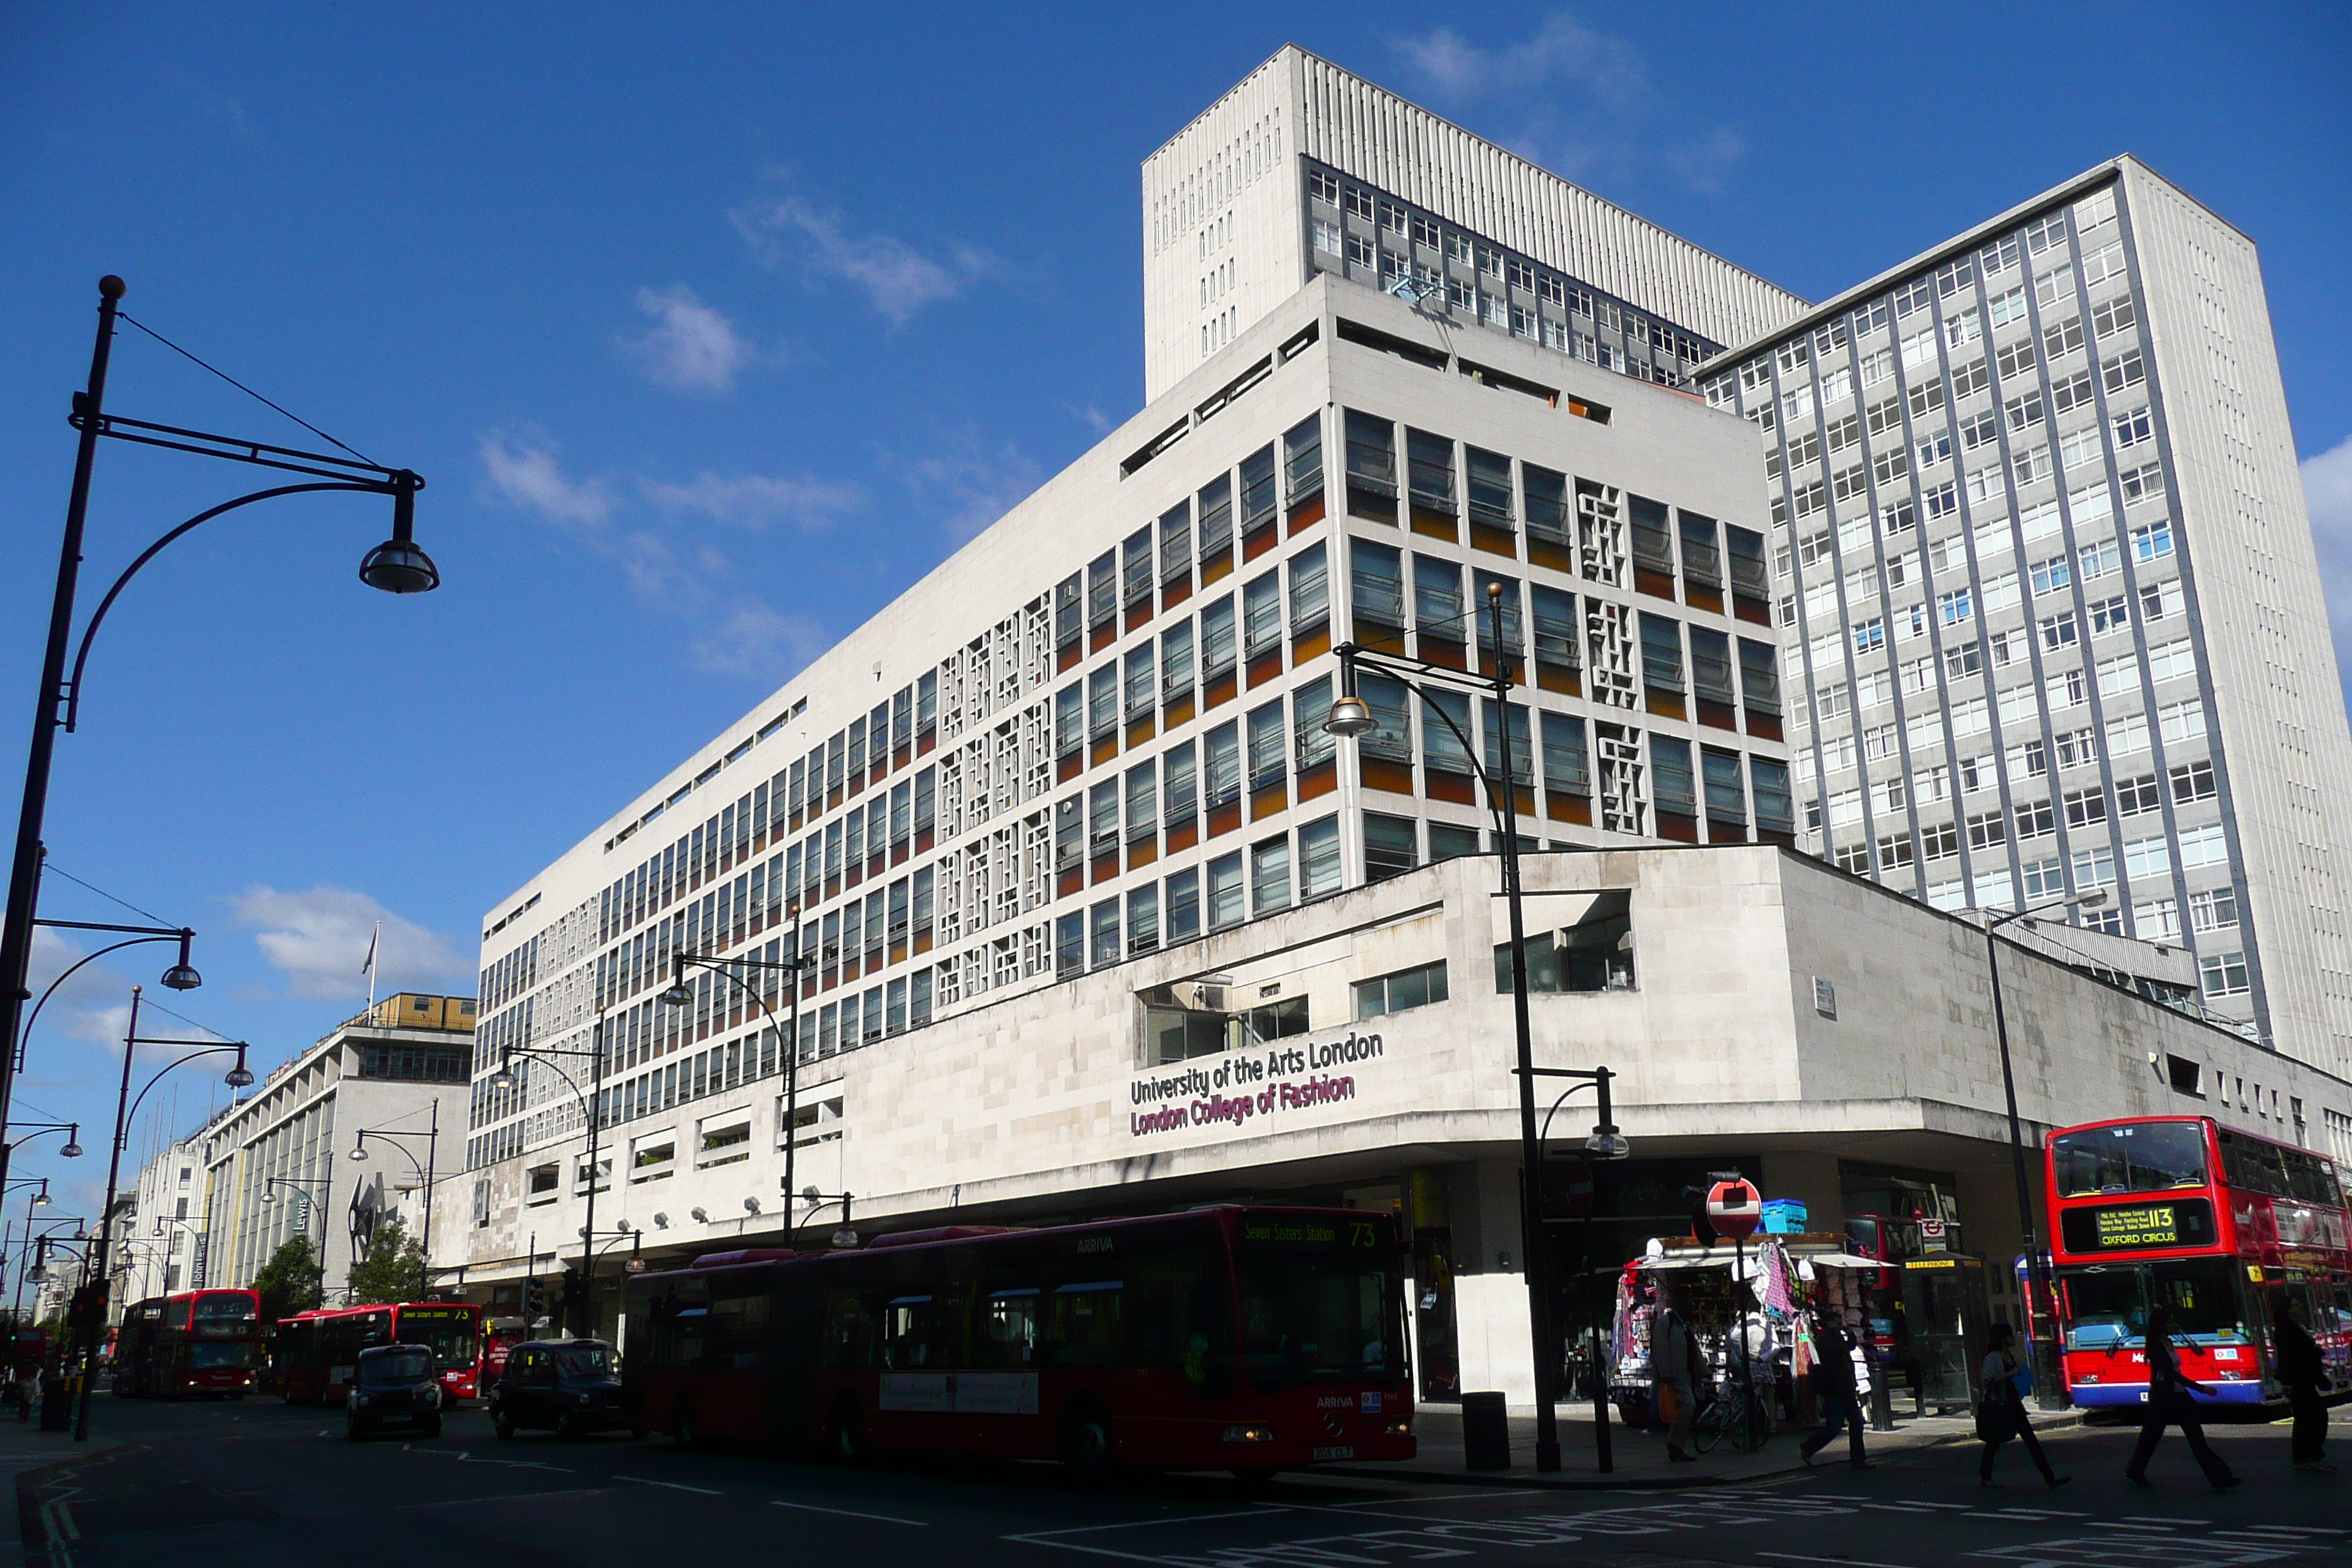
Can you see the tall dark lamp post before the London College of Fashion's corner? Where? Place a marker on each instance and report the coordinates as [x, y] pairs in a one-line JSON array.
[[1354, 718]]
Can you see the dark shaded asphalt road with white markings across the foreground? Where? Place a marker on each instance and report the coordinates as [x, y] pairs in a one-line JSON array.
[[260, 1487]]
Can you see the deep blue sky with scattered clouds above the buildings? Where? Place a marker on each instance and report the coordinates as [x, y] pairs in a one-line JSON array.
[[716, 326]]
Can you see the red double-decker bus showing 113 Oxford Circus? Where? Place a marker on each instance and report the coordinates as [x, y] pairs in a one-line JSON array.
[[2207, 1221]]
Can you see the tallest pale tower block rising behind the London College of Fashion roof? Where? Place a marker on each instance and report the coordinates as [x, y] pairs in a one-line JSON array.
[[1307, 170]]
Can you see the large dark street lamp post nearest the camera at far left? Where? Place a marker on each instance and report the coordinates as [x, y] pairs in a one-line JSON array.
[[394, 568]]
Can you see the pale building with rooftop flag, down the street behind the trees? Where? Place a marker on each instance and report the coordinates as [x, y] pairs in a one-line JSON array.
[[279, 1162]]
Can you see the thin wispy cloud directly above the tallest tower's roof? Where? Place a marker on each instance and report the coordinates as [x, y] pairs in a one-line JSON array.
[[1572, 100]]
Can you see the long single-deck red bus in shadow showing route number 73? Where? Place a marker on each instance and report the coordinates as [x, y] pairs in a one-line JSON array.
[[1222, 1339]]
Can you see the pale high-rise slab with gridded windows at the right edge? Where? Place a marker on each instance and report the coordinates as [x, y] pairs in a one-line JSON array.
[[2047, 577]]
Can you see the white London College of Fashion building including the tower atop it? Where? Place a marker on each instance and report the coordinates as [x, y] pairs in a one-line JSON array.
[[1064, 836]]
